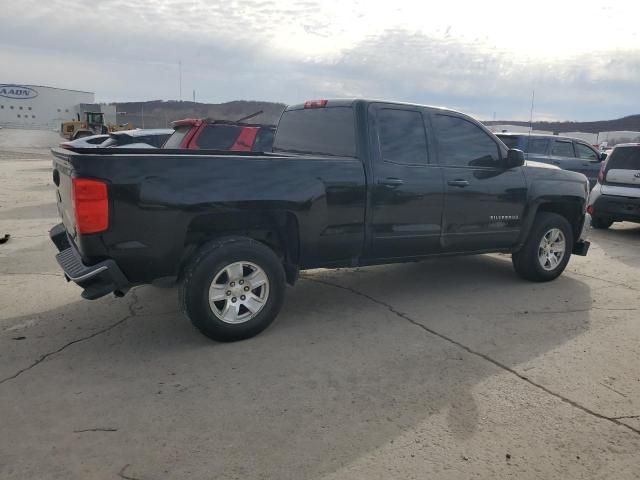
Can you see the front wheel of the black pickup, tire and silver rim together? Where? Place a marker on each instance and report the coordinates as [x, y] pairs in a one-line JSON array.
[[546, 252]]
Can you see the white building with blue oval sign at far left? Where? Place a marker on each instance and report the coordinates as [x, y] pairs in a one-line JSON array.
[[35, 106]]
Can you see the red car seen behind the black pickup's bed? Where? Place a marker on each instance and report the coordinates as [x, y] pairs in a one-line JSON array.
[[222, 135]]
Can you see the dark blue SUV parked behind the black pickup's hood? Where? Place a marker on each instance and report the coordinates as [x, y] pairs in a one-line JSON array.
[[567, 153]]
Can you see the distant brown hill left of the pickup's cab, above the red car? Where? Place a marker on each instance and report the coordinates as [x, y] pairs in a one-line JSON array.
[[160, 114]]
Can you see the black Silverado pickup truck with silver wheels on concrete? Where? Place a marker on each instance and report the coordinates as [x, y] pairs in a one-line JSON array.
[[349, 182]]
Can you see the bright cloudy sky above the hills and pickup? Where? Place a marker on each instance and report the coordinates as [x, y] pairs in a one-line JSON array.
[[582, 58]]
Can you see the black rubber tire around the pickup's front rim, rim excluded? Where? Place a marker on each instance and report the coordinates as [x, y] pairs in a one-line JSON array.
[[526, 262]]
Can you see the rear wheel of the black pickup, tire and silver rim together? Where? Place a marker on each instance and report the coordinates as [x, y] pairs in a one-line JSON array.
[[233, 289]]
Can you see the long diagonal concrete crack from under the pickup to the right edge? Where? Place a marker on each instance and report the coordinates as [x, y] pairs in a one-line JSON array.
[[476, 353]]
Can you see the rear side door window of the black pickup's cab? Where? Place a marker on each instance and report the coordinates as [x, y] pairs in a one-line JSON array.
[[402, 137]]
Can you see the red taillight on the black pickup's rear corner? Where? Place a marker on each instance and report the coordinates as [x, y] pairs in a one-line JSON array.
[[91, 205]]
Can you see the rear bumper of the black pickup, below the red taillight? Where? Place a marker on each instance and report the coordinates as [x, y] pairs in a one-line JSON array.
[[96, 280]]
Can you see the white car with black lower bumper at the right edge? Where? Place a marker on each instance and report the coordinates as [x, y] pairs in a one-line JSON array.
[[616, 196]]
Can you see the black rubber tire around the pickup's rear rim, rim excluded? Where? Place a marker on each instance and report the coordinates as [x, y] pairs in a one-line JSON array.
[[201, 272]]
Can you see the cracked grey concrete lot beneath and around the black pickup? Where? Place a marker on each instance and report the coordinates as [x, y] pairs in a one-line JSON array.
[[446, 369]]
